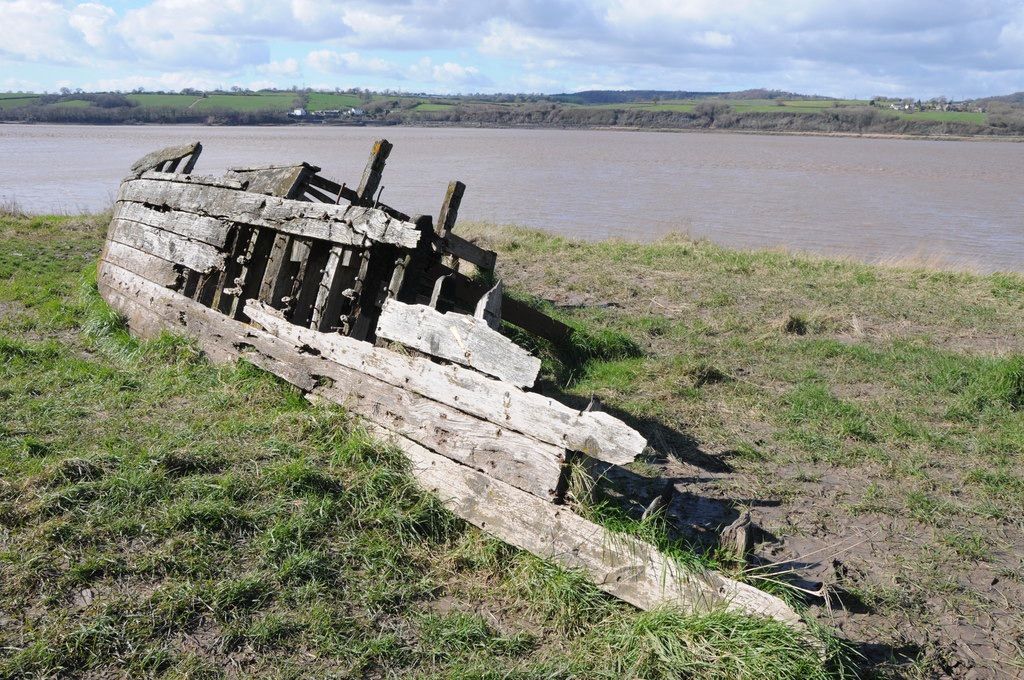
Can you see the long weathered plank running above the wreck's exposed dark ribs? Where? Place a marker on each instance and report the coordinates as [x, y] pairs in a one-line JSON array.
[[342, 225]]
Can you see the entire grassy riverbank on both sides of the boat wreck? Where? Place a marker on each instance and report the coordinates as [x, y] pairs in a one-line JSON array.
[[164, 516]]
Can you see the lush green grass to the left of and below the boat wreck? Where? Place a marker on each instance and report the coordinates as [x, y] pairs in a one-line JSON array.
[[164, 517]]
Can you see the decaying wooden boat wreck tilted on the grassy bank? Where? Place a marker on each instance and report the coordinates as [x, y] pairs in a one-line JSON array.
[[363, 306]]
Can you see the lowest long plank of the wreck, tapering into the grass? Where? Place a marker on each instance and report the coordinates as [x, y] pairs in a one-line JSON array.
[[627, 568]]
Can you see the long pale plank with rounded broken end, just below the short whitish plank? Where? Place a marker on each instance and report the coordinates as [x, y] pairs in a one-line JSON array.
[[598, 435]]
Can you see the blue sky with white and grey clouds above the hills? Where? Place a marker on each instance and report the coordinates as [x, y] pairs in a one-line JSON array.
[[848, 49]]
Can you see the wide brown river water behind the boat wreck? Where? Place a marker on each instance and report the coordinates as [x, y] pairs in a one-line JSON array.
[[958, 204]]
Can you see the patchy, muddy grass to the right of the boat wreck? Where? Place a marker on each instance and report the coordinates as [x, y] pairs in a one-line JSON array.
[[885, 403]]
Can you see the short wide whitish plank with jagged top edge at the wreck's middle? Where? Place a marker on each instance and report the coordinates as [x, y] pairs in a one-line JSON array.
[[458, 338]]
